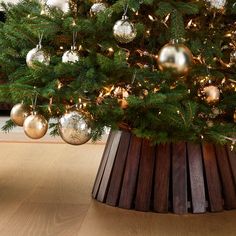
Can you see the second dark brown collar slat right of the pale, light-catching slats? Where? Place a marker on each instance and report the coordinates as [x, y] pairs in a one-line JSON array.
[[131, 172]]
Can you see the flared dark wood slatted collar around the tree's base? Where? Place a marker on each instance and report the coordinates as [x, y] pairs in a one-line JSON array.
[[179, 178]]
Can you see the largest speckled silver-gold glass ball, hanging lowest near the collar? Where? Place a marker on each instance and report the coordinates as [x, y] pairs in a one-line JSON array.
[[74, 129]]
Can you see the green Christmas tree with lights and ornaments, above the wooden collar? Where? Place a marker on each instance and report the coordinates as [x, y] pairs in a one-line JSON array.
[[165, 70]]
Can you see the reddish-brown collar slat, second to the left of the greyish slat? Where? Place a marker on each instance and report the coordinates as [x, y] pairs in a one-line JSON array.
[[162, 177]]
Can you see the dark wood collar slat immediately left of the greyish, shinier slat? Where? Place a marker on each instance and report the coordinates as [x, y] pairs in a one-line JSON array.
[[179, 175]]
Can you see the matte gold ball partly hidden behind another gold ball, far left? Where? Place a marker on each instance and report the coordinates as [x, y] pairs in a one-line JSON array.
[[19, 113]]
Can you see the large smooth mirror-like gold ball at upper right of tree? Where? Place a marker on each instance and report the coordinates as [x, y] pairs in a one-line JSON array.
[[175, 57]]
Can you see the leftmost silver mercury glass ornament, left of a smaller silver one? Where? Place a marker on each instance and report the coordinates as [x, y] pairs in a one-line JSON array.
[[37, 55]]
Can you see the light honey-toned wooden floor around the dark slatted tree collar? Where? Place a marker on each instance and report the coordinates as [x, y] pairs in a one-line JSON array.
[[45, 191]]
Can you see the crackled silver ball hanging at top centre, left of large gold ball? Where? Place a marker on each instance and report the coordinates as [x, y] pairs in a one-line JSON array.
[[124, 31]]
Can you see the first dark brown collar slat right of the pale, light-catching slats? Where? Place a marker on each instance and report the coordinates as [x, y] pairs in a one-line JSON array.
[[118, 169]]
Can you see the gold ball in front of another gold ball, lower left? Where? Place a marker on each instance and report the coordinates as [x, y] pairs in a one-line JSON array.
[[35, 126]]
